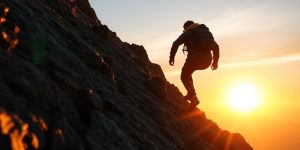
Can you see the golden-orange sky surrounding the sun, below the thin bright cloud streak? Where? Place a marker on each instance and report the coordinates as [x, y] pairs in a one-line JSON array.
[[274, 124]]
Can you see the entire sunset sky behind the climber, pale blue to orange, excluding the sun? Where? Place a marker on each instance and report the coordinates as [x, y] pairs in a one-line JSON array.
[[259, 43]]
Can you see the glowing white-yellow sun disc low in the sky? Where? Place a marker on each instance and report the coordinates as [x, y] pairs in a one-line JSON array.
[[244, 97]]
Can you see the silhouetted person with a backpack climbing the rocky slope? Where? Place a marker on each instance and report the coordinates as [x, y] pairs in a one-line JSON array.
[[199, 43]]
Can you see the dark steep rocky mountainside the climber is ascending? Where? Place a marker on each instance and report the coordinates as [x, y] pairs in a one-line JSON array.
[[71, 83]]
